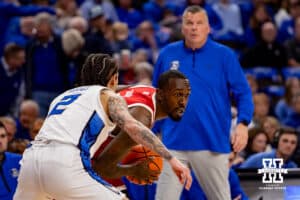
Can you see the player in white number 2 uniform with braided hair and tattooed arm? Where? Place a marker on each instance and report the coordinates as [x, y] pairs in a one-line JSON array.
[[58, 164]]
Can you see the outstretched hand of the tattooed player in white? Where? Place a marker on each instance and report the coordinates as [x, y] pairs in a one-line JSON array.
[[182, 172]]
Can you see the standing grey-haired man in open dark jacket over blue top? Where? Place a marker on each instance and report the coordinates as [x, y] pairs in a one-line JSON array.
[[46, 64]]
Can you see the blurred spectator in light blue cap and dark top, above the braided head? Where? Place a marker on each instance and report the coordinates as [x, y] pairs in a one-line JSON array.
[[95, 42]]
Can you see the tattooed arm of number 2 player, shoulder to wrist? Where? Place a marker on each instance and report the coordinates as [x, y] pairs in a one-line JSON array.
[[118, 111]]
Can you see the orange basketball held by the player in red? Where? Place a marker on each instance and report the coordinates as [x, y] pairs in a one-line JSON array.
[[140, 153]]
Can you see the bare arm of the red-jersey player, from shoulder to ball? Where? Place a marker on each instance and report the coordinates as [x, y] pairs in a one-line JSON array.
[[107, 164]]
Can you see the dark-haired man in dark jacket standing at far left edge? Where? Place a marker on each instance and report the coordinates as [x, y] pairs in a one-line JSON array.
[[11, 78]]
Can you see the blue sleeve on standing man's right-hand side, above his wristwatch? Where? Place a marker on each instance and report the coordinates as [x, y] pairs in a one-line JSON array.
[[239, 87]]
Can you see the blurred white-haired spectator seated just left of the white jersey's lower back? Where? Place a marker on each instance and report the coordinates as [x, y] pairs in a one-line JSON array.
[[29, 112]]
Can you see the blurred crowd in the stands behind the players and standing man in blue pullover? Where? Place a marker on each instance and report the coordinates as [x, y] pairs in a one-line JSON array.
[[43, 44]]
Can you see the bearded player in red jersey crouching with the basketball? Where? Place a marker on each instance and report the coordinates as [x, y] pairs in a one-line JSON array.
[[146, 104]]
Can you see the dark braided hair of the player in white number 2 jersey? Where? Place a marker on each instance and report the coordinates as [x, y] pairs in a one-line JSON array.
[[98, 69]]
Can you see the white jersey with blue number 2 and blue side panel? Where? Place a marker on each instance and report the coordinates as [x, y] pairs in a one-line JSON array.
[[77, 117]]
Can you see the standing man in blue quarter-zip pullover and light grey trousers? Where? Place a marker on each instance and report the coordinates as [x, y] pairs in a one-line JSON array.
[[202, 138]]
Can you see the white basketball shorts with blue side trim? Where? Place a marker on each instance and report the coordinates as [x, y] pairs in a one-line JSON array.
[[56, 171]]
